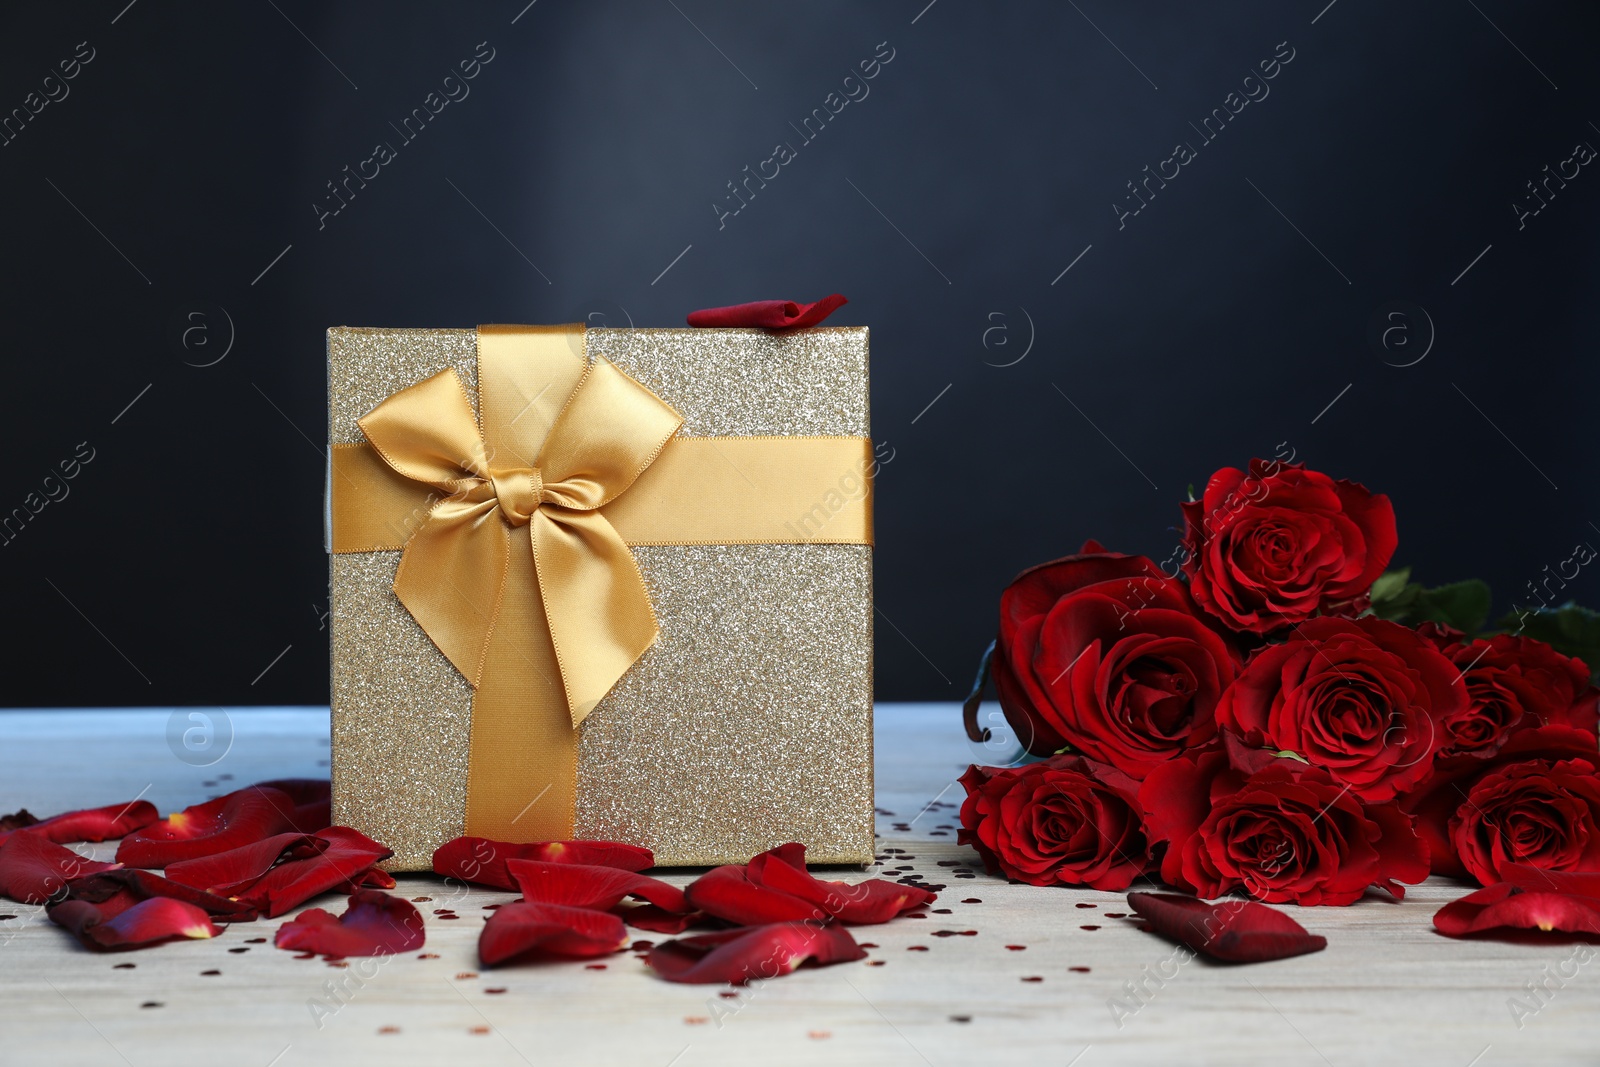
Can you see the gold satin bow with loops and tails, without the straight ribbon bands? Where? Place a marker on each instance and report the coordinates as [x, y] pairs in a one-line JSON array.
[[454, 575]]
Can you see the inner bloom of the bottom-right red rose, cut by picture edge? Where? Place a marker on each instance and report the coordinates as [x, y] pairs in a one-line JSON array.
[[1542, 813]]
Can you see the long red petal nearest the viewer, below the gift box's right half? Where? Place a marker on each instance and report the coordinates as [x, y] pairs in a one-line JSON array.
[[761, 953]]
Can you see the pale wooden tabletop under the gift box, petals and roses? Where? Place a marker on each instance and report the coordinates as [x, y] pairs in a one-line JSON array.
[[1036, 985]]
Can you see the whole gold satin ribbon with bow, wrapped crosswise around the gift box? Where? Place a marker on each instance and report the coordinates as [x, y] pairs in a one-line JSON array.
[[516, 524]]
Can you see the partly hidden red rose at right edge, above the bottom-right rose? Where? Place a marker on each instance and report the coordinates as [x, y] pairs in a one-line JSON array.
[[1513, 682]]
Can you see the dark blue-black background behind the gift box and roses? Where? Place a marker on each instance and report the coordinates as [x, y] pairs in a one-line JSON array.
[[1212, 327]]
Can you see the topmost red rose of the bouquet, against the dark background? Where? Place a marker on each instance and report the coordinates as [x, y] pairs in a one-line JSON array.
[[1273, 548]]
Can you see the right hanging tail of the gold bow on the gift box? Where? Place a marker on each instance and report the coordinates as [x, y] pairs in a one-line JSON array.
[[594, 599]]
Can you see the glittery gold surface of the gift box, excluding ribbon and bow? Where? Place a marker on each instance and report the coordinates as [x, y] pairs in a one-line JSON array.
[[748, 724]]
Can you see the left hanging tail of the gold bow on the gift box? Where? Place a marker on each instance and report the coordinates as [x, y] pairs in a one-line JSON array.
[[452, 580]]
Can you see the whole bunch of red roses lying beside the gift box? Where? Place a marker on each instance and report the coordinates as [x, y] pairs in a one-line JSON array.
[[1270, 713]]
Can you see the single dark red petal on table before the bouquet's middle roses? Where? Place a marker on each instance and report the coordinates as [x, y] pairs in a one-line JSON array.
[[1236, 932]]
